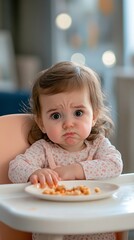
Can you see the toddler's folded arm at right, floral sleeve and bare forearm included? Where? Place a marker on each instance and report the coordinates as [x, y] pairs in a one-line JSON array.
[[106, 162]]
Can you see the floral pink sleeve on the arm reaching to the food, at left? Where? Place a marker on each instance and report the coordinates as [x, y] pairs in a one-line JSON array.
[[25, 164]]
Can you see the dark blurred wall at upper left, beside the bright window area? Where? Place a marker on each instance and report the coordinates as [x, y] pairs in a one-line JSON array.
[[30, 24]]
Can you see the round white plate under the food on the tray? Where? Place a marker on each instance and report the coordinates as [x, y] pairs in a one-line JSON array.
[[107, 190]]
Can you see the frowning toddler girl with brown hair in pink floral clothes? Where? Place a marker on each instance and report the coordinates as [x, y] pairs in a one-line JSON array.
[[69, 138]]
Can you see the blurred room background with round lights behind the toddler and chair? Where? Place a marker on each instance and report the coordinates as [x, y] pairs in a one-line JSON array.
[[34, 34]]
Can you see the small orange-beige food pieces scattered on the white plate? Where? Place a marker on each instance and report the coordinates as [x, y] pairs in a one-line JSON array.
[[78, 190]]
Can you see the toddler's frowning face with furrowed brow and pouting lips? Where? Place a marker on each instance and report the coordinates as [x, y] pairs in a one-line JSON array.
[[67, 118]]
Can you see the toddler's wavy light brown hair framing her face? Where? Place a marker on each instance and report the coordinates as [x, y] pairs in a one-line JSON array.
[[65, 77]]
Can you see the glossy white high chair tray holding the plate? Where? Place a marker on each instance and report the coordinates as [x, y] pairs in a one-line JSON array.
[[21, 211]]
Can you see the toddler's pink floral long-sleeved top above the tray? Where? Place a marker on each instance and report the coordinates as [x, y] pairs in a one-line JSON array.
[[99, 159]]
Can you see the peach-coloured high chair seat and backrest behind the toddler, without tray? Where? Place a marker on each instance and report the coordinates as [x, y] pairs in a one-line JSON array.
[[14, 130]]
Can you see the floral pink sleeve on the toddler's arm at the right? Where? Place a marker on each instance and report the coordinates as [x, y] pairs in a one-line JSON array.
[[106, 162]]
